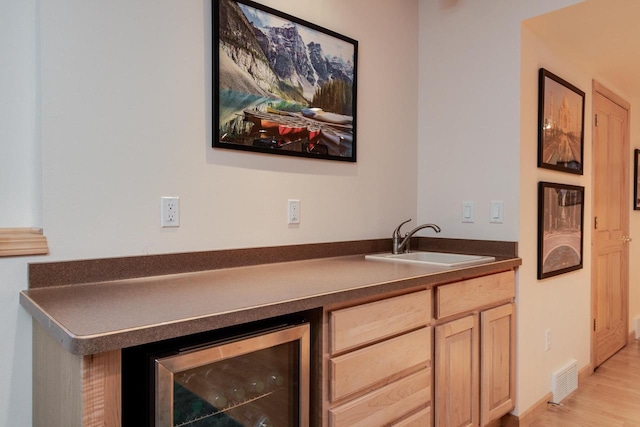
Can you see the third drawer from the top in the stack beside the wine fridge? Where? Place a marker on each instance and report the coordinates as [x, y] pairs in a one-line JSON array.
[[389, 403]]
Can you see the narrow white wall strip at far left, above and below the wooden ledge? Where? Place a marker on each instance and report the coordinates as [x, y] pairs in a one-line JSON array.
[[20, 195]]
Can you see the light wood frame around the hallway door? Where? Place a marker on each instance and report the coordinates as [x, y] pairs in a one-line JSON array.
[[607, 93]]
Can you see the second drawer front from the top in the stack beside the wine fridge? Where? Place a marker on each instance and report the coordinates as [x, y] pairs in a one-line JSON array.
[[360, 369]]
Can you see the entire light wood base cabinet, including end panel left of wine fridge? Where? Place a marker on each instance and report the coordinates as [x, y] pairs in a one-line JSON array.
[[374, 362]]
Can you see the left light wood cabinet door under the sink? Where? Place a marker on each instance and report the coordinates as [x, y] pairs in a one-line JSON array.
[[457, 380]]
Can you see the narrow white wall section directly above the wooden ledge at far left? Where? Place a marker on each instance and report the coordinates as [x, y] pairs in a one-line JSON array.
[[19, 158]]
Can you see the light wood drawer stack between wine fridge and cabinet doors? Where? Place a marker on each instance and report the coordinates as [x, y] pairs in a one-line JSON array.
[[379, 363]]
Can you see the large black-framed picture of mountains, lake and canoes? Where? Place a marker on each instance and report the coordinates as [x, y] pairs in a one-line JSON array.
[[282, 85]]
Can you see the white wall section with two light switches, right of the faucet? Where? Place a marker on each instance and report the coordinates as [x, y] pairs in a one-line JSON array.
[[469, 121]]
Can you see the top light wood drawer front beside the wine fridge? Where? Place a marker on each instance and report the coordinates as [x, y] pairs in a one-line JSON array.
[[366, 323]]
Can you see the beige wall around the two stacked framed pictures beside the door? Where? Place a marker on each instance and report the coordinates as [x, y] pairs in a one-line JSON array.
[[561, 303]]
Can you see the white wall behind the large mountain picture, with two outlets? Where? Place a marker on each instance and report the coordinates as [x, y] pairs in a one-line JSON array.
[[125, 114]]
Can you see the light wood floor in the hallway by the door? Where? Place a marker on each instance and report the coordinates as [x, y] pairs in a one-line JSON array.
[[610, 397]]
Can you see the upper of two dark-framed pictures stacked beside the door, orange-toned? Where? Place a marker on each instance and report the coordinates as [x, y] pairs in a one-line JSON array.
[[560, 124]]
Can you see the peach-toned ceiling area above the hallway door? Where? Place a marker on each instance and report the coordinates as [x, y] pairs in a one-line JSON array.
[[604, 34]]
